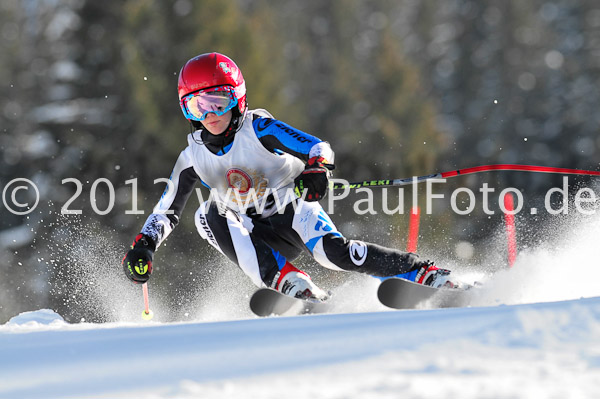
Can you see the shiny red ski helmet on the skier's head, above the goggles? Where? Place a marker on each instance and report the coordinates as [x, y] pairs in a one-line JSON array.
[[212, 70]]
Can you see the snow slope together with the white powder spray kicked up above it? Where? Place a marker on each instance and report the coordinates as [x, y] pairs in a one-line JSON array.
[[531, 332]]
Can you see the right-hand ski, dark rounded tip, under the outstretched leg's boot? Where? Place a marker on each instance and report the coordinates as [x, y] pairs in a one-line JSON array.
[[399, 293]]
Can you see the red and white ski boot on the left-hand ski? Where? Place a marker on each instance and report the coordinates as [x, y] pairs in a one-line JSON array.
[[296, 283]]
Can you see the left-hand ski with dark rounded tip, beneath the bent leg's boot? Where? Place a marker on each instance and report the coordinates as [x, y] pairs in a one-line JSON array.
[[267, 302]]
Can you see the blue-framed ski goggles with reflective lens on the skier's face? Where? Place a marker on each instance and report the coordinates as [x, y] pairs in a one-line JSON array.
[[216, 100]]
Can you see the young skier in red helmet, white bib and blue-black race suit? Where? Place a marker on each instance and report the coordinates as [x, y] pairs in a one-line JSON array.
[[252, 162]]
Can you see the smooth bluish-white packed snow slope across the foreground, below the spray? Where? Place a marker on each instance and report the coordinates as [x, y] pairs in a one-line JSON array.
[[538, 350]]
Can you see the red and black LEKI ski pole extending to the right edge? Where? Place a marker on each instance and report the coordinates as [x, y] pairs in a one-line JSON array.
[[466, 171]]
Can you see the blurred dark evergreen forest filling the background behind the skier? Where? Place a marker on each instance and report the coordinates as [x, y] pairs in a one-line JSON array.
[[399, 88]]
